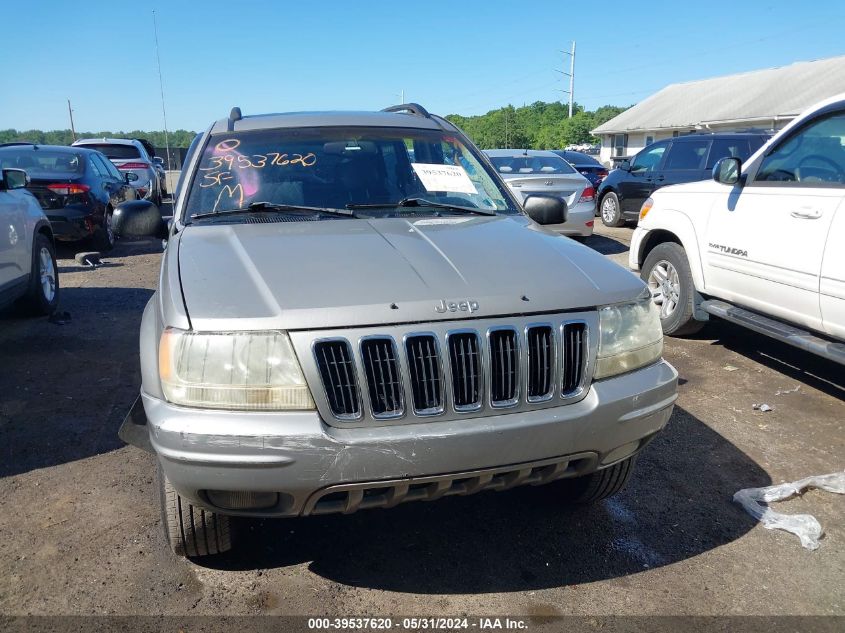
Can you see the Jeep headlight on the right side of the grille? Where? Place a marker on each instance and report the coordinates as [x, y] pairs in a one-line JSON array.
[[630, 336]]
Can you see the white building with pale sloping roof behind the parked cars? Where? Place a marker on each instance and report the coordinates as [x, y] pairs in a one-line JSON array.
[[761, 99]]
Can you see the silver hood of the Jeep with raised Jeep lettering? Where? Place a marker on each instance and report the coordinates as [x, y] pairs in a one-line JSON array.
[[336, 273]]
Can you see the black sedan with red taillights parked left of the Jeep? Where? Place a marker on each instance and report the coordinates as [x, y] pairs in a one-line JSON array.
[[76, 187]]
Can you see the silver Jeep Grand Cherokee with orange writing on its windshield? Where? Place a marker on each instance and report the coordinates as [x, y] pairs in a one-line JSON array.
[[355, 312]]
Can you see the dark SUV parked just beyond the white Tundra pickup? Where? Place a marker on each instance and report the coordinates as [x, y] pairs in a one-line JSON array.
[[671, 161]]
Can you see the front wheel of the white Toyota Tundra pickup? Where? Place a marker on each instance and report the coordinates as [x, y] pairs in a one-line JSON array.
[[666, 271]]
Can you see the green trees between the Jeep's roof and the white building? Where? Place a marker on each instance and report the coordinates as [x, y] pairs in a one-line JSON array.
[[540, 125]]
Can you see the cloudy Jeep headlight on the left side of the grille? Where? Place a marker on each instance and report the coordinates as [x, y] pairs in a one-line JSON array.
[[247, 371]]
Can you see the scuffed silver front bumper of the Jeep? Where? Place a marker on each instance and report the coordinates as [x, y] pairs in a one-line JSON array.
[[301, 458]]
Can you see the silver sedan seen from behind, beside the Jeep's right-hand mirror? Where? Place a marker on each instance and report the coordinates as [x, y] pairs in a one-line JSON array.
[[533, 171]]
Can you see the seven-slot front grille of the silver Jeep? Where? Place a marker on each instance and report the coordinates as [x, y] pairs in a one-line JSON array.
[[455, 369]]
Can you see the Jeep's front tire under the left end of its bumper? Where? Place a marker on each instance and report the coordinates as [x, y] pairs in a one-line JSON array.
[[190, 530]]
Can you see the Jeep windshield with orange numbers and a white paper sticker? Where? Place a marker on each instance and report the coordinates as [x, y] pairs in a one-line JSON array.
[[374, 171]]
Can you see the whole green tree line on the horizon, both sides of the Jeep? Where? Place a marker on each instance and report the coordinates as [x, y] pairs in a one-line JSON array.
[[540, 125]]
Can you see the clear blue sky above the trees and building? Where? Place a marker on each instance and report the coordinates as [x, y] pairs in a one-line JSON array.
[[463, 57]]
